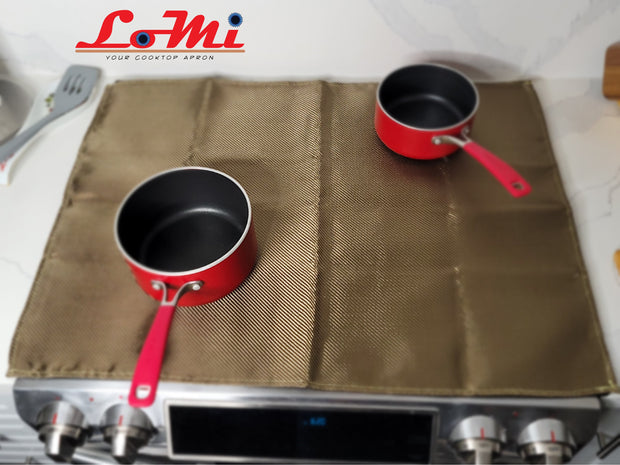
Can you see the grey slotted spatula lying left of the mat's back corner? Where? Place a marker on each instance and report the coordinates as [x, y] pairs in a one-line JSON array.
[[74, 89]]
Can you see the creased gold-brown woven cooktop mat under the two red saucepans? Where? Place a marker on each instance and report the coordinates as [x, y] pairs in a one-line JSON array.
[[375, 273]]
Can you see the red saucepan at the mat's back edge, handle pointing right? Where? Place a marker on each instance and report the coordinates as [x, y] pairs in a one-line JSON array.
[[425, 111]]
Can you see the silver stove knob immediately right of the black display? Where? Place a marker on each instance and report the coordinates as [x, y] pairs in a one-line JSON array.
[[478, 439]]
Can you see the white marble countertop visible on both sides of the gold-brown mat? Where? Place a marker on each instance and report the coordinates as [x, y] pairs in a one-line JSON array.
[[585, 135]]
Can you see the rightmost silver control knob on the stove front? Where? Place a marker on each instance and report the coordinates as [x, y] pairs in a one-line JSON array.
[[546, 441]]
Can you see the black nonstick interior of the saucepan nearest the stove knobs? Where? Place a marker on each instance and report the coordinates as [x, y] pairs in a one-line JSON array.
[[182, 220]]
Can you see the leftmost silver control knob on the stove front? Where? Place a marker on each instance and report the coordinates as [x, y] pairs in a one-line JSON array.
[[62, 428]]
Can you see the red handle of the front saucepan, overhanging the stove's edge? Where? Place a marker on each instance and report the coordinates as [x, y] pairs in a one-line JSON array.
[[146, 375]]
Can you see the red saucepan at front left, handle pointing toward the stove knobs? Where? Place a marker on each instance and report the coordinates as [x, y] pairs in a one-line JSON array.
[[188, 237]]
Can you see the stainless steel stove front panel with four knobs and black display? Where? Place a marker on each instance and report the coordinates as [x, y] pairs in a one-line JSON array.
[[90, 420]]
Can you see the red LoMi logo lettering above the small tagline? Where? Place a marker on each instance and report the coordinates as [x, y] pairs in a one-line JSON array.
[[143, 39]]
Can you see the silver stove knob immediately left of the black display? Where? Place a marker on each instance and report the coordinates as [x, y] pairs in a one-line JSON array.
[[126, 429]]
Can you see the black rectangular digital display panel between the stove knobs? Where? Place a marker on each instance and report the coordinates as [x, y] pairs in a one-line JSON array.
[[301, 433]]
